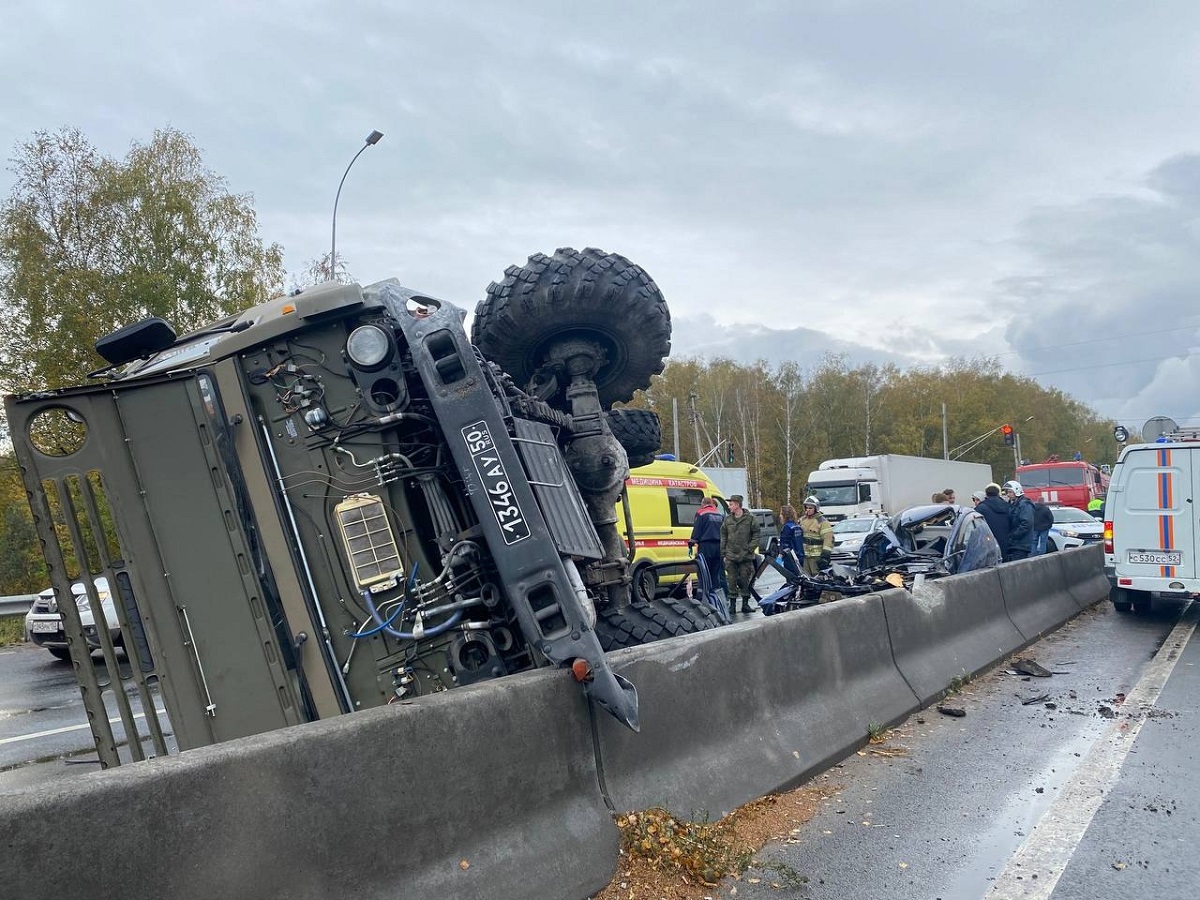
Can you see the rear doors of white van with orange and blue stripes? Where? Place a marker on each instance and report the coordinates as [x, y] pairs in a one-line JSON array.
[[1157, 529]]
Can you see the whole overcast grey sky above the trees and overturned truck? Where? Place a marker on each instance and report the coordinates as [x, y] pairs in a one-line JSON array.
[[903, 182]]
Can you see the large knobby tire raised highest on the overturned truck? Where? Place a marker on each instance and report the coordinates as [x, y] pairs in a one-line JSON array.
[[577, 295]]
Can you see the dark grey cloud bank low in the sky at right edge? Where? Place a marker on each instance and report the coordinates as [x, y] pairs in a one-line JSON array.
[[1115, 297]]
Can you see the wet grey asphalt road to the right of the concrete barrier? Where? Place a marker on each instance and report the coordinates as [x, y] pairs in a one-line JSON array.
[[946, 819]]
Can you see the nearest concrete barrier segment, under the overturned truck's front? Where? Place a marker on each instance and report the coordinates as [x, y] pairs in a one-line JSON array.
[[487, 791]]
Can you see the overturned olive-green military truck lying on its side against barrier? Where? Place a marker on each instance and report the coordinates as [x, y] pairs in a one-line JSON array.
[[335, 500]]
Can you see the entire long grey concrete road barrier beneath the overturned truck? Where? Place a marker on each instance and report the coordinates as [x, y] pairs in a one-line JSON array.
[[506, 790]]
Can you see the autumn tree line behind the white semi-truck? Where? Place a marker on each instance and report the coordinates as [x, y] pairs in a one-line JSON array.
[[785, 422]]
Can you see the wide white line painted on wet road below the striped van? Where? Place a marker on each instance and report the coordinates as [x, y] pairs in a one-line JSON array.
[[1053, 842]]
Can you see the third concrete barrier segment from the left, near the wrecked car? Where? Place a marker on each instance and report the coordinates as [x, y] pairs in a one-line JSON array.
[[950, 628]]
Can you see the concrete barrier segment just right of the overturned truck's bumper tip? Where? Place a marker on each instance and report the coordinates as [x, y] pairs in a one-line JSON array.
[[735, 715]]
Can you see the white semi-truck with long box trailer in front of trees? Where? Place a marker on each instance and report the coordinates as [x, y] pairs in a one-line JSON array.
[[890, 483]]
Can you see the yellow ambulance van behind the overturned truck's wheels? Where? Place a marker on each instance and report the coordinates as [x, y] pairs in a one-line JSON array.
[[664, 499]]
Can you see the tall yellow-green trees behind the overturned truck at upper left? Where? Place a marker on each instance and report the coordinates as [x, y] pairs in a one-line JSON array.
[[89, 244]]
